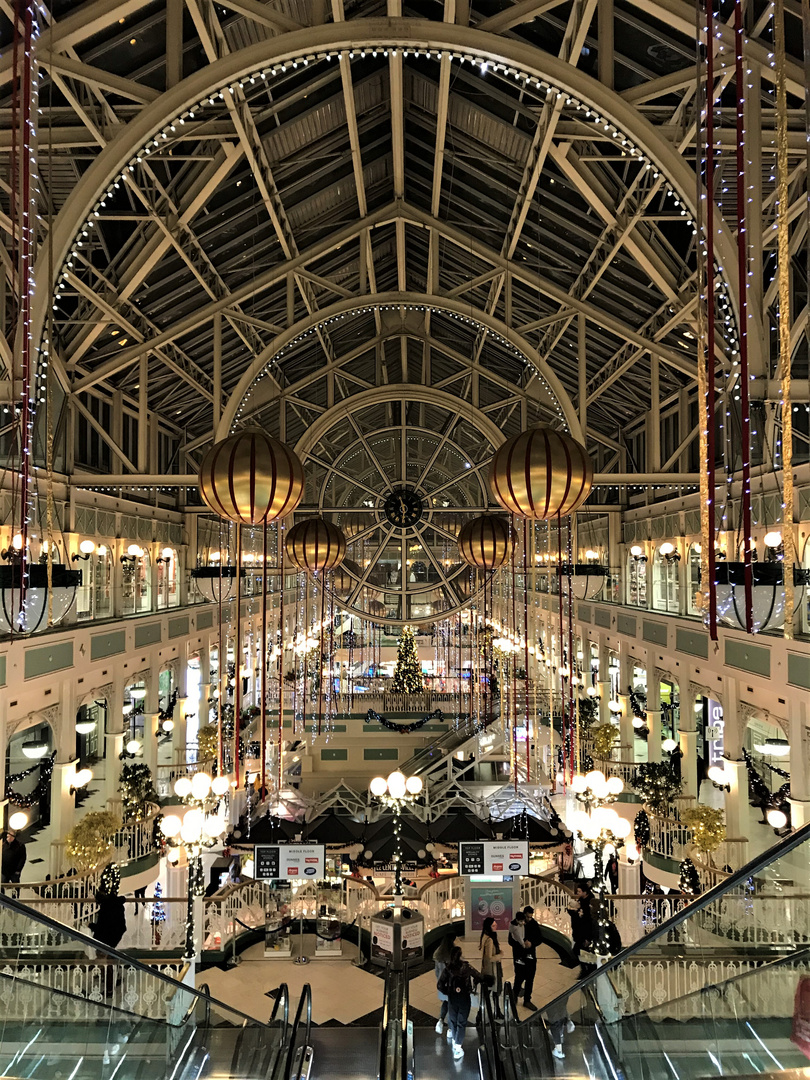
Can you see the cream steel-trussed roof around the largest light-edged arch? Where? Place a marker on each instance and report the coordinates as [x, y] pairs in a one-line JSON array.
[[422, 150]]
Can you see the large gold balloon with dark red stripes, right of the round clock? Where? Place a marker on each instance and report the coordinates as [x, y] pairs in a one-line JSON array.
[[542, 474]]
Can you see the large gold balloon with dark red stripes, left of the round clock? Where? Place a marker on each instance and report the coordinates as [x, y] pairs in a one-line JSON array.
[[251, 478]]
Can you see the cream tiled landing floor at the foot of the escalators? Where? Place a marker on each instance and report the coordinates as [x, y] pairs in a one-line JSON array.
[[344, 993]]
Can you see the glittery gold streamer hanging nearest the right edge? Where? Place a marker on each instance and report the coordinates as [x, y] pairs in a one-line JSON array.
[[789, 537]]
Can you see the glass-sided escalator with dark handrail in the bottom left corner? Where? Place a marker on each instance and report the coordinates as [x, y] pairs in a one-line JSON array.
[[79, 1010]]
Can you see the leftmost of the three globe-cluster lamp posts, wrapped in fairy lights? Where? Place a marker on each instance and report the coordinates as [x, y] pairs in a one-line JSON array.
[[199, 829]]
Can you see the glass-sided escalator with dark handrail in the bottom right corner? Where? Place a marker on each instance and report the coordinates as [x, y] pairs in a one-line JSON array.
[[721, 990]]
